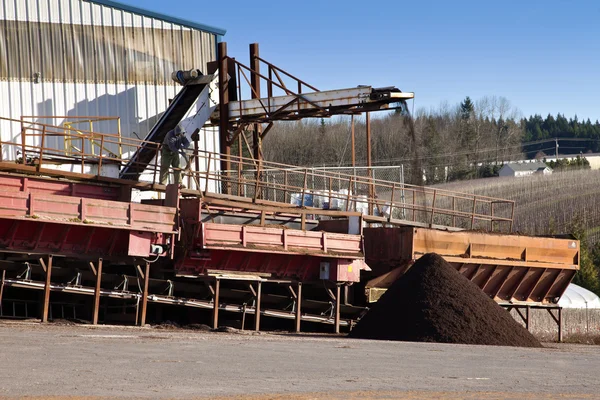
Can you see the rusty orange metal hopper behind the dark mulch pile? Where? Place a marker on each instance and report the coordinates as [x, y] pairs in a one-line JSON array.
[[509, 268]]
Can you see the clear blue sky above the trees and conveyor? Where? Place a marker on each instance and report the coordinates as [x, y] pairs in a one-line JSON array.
[[544, 56]]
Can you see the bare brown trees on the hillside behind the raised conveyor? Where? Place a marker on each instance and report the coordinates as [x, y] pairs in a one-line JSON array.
[[446, 143]]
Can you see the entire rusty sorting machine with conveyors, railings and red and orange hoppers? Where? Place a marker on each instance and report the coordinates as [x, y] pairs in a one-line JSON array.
[[84, 249]]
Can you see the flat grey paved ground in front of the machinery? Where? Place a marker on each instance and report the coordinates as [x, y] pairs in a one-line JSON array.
[[58, 362]]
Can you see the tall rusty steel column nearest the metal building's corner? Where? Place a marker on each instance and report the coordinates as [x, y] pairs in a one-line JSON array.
[[225, 144]]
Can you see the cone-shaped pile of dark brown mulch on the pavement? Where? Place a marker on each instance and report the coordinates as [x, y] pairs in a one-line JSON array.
[[433, 302]]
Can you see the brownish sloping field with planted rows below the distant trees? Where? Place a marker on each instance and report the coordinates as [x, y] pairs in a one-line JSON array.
[[541, 199]]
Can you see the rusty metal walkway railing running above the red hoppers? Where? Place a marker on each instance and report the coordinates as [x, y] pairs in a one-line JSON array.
[[279, 185]]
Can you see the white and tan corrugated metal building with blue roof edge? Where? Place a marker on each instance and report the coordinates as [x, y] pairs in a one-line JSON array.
[[70, 58]]
